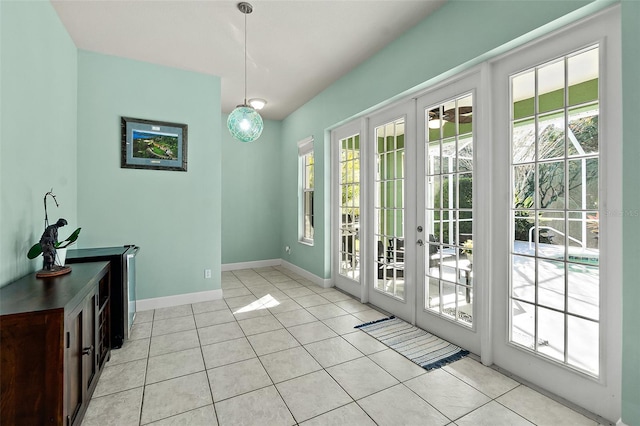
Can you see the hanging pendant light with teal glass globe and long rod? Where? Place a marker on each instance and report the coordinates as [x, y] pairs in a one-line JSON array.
[[244, 122]]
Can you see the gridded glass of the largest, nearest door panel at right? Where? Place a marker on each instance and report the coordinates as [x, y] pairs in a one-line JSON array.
[[555, 282]]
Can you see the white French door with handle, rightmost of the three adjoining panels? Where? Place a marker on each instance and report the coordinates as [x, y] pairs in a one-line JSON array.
[[448, 251]]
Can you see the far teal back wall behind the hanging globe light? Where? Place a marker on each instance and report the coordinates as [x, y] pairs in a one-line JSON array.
[[251, 196]]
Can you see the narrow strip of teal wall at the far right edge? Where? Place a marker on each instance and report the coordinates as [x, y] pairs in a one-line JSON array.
[[631, 204]]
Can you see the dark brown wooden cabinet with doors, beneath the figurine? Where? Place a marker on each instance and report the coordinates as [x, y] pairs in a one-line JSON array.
[[54, 343]]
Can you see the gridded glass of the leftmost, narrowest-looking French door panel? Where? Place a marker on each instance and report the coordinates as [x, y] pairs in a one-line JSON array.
[[350, 207]]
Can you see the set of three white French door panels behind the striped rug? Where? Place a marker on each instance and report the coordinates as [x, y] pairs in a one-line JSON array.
[[406, 227]]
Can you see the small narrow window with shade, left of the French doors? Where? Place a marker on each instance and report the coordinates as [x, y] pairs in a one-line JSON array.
[[305, 152]]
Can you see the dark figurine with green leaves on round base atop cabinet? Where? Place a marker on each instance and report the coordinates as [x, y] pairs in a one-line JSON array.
[[53, 251]]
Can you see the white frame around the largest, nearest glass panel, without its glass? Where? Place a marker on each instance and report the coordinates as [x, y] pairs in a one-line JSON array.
[[600, 393]]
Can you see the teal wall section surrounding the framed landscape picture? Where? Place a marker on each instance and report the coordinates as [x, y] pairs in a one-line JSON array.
[[173, 216]]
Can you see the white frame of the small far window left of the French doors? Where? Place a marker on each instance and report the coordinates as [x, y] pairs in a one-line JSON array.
[[305, 153]]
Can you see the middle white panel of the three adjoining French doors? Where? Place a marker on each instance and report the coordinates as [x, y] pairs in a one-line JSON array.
[[391, 216]]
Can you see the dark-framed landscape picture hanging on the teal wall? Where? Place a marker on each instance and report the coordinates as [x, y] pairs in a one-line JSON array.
[[155, 145]]
